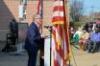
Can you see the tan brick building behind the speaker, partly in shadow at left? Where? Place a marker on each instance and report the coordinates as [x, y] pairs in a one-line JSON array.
[[10, 9]]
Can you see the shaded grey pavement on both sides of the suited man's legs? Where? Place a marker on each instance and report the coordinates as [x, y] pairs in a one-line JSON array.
[[17, 58]]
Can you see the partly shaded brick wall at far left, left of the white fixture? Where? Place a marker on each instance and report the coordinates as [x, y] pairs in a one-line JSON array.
[[8, 10]]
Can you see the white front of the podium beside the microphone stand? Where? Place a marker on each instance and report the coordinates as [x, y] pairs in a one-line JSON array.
[[47, 51]]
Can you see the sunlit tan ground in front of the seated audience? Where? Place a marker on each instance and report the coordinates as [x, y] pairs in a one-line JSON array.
[[83, 58]]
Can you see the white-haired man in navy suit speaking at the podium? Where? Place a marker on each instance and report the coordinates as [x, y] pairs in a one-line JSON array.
[[33, 40]]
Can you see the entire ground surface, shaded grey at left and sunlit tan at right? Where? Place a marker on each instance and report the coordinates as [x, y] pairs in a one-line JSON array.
[[78, 58]]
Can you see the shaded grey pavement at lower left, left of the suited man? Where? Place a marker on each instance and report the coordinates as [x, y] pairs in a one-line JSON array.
[[12, 59]]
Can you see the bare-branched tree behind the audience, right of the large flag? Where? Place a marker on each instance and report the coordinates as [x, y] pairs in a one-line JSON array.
[[76, 10]]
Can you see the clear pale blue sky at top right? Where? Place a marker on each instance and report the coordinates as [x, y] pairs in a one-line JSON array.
[[90, 6]]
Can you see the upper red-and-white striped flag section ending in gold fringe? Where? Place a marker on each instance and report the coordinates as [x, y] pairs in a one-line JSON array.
[[58, 14]]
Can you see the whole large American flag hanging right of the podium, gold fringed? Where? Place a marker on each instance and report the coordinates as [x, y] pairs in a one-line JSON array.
[[59, 47]]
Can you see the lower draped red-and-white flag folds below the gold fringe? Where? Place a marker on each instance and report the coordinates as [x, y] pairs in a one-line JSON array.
[[59, 49]]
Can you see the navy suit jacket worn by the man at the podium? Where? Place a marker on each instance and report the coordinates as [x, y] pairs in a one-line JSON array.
[[33, 38]]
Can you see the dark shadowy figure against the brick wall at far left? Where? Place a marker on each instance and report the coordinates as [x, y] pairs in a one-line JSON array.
[[12, 37]]
